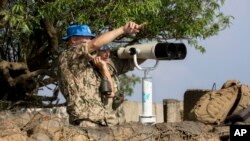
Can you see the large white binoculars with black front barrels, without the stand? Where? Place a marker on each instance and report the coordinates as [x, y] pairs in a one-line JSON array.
[[158, 51]]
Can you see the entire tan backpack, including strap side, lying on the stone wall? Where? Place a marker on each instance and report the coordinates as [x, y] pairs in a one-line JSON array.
[[214, 106]]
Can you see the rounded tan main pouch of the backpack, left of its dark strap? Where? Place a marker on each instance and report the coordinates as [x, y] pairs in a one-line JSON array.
[[214, 106]]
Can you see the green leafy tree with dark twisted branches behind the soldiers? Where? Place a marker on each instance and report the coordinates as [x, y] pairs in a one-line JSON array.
[[31, 32]]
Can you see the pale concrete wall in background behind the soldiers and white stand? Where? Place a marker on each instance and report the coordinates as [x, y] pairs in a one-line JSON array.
[[170, 110]]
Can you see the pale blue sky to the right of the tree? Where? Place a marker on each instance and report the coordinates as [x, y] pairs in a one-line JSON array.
[[227, 57]]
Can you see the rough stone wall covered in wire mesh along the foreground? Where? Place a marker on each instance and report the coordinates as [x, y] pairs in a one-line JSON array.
[[50, 125]]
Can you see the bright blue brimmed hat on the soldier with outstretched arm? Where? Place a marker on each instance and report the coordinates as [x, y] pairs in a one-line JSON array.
[[78, 30]]
